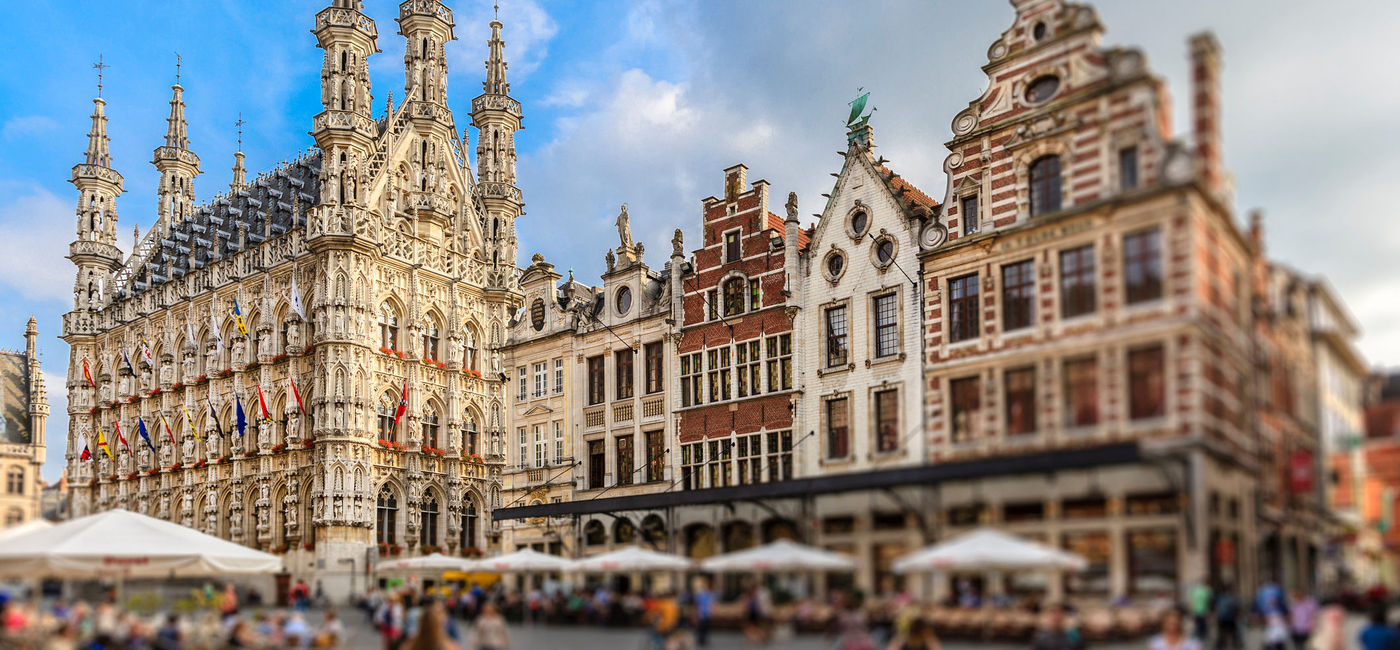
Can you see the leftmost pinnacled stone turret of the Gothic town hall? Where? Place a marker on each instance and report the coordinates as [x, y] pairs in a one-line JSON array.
[[94, 250]]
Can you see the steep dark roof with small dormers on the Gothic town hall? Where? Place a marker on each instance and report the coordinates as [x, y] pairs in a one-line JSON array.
[[264, 209]]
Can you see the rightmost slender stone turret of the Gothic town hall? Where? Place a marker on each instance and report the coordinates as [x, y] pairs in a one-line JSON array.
[[498, 117]]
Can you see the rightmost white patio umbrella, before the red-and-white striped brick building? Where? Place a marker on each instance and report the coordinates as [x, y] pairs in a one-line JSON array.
[[989, 550]]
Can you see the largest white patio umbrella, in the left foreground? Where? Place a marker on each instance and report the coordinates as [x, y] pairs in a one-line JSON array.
[[120, 543]]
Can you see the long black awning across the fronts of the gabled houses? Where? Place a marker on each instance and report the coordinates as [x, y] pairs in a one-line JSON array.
[[1038, 463]]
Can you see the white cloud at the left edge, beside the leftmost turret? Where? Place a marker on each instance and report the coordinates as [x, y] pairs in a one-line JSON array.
[[37, 228]]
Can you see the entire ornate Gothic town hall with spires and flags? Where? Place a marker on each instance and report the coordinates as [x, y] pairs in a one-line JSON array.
[[373, 277]]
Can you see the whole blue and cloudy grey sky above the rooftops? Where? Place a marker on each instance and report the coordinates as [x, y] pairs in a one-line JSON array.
[[647, 102]]
